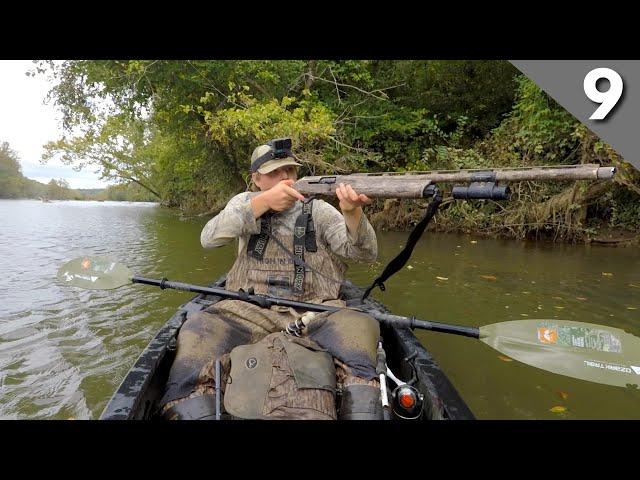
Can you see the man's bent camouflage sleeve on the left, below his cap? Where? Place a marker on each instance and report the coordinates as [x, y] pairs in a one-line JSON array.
[[235, 220]]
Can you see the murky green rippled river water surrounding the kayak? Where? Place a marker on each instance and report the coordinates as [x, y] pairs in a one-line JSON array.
[[63, 351]]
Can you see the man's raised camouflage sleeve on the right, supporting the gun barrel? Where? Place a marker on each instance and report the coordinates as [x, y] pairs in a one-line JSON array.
[[359, 244]]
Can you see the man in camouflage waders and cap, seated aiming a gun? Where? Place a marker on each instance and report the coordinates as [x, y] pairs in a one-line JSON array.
[[268, 373]]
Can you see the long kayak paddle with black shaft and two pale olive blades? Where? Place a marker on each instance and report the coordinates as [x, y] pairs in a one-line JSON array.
[[595, 353]]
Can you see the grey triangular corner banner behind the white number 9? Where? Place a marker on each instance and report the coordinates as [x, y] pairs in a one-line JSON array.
[[564, 81]]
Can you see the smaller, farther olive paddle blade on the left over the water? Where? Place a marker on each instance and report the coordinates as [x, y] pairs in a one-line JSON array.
[[97, 273]]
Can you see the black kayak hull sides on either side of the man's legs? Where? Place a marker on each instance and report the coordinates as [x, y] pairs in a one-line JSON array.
[[137, 396]]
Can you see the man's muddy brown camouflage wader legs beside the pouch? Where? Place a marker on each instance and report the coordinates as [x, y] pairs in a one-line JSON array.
[[350, 337]]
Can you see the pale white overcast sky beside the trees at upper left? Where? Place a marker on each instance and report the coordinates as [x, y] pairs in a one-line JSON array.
[[27, 124]]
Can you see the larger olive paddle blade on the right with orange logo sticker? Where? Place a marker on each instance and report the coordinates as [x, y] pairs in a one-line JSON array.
[[580, 350]]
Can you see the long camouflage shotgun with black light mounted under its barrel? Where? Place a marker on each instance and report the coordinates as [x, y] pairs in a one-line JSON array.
[[481, 183]]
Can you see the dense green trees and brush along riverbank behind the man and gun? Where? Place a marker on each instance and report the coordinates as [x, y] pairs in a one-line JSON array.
[[185, 130]]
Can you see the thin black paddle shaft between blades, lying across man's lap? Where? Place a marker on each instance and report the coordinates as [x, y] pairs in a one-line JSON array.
[[266, 301]]
